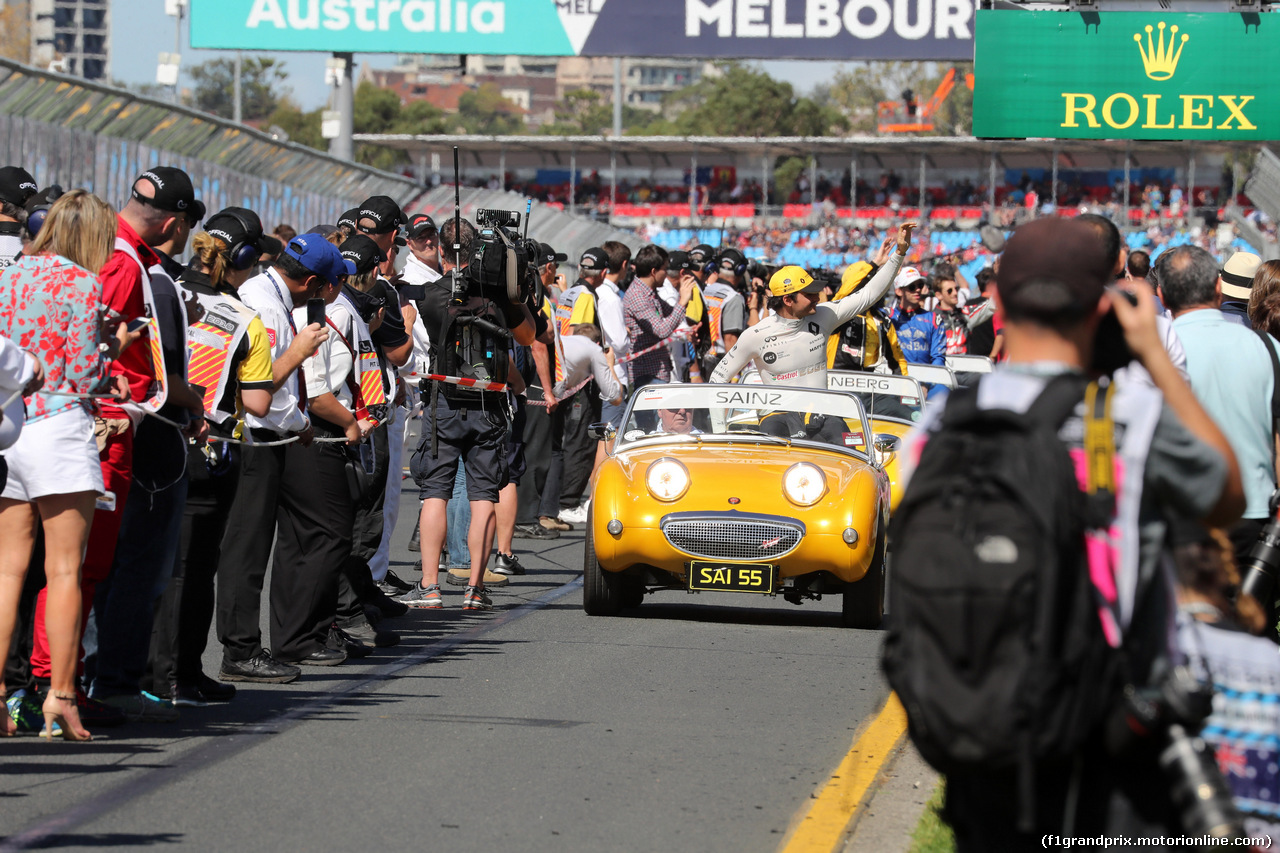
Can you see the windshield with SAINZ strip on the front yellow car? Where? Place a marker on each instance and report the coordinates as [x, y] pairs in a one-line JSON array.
[[757, 413]]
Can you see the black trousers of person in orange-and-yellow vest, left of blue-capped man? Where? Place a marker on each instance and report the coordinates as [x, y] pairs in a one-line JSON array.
[[186, 609]]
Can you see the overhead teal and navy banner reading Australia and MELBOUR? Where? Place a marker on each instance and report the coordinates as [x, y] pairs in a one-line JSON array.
[[705, 29]]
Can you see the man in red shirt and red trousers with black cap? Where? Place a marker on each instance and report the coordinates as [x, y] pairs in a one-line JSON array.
[[157, 209]]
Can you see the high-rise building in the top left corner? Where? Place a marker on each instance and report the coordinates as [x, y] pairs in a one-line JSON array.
[[72, 37]]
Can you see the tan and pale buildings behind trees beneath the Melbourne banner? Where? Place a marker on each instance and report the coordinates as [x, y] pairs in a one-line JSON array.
[[537, 84]]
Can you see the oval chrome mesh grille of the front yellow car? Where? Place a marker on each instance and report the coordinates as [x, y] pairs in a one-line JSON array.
[[733, 536]]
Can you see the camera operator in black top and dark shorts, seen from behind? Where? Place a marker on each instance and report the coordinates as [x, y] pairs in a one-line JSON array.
[[463, 425]]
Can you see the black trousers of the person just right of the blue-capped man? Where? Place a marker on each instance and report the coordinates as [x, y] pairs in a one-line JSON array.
[[314, 526]]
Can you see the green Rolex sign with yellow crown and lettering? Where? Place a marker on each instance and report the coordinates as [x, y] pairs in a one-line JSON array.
[[1126, 76]]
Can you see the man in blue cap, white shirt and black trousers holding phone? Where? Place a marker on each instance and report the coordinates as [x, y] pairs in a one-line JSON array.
[[268, 487]]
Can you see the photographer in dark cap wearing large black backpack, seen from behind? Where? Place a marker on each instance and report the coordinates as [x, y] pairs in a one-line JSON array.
[[1032, 644]]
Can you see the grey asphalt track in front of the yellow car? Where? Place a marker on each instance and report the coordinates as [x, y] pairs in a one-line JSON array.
[[694, 723]]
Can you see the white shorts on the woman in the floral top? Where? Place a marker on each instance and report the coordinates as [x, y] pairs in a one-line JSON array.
[[57, 455]]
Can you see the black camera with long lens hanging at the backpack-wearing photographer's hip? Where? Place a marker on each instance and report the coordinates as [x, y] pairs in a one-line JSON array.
[[1169, 717]]
